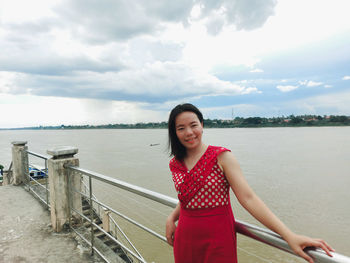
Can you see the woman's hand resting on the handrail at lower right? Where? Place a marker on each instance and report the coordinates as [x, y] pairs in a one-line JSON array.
[[299, 242]]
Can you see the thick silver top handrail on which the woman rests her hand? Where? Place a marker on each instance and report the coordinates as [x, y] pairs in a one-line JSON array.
[[257, 233]]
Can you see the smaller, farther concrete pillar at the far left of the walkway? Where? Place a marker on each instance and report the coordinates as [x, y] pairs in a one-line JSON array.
[[20, 162]]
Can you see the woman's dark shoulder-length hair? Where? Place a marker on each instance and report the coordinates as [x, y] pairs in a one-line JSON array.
[[175, 147]]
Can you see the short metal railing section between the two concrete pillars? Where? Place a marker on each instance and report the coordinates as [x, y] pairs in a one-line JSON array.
[[34, 182]]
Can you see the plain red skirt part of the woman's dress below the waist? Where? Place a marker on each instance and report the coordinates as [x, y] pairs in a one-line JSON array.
[[206, 236]]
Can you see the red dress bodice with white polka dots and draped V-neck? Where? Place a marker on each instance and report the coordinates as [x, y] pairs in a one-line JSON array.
[[205, 185]]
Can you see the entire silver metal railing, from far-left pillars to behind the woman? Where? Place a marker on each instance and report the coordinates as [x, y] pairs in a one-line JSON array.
[[257, 233]]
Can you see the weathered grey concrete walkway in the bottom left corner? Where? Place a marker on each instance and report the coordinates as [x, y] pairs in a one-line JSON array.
[[26, 234]]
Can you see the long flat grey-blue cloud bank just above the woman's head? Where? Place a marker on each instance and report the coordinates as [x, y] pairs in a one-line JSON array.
[[156, 82]]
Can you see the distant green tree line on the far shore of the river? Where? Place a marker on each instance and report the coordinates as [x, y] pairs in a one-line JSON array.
[[238, 122]]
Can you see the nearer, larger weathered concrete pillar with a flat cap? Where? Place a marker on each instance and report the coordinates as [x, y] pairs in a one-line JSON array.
[[58, 181]]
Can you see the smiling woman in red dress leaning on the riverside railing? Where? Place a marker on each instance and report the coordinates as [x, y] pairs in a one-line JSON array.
[[203, 175]]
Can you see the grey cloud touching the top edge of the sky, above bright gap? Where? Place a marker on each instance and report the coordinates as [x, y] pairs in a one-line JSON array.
[[110, 20]]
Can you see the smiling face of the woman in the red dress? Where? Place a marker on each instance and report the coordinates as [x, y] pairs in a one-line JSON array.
[[189, 129]]
